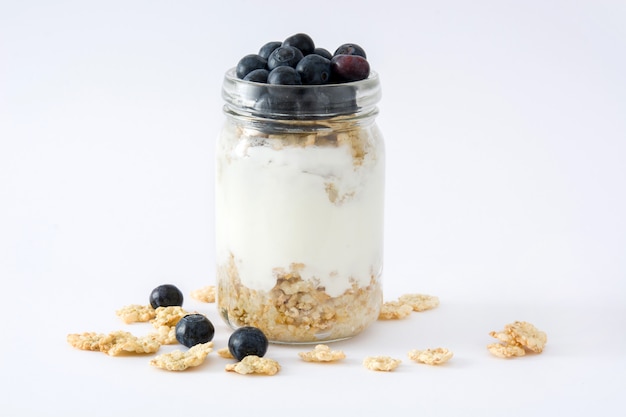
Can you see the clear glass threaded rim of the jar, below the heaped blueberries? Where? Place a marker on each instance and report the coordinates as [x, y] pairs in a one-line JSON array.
[[300, 101]]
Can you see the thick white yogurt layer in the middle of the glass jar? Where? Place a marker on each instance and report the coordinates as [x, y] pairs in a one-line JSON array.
[[311, 205]]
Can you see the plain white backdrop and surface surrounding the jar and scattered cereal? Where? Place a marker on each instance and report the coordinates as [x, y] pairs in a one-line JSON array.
[[505, 125]]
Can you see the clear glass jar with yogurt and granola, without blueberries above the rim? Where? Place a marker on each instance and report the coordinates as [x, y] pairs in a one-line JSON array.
[[299, 209]]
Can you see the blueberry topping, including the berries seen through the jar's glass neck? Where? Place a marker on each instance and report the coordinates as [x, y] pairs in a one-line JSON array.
[[280, 76]]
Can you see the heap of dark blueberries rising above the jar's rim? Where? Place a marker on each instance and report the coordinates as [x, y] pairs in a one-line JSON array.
[[297, 61]]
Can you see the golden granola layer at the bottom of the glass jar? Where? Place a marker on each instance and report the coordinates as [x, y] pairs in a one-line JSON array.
[[297, 310]]
